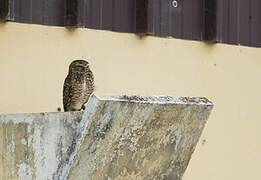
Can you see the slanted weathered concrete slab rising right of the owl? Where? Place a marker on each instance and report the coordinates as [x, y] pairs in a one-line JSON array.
[[137, 138]]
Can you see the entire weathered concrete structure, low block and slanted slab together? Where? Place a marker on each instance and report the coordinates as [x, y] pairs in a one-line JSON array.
[[120, 137]]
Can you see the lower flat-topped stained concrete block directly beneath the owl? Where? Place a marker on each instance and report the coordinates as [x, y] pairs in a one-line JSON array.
[[34, 146]]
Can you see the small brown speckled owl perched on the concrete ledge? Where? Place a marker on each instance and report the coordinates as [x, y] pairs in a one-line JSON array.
[[78, 86]]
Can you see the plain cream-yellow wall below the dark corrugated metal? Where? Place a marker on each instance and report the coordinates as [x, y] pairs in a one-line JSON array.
[[34, 61]]
